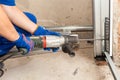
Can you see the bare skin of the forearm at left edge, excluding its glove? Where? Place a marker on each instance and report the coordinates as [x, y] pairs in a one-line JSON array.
[[6, 28]]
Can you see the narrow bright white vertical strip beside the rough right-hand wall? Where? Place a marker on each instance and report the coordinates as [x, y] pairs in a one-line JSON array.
[[111, 27]]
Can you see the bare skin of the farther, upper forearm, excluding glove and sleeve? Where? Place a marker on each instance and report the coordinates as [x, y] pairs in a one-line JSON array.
[[19, 18]]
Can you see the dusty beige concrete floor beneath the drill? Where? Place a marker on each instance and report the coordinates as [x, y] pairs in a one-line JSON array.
[[57, 66]]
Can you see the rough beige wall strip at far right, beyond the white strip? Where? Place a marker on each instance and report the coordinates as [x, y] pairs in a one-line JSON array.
[[116, 31]]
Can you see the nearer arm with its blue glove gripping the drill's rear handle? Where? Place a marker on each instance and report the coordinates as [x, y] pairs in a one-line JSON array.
[[8, 31]]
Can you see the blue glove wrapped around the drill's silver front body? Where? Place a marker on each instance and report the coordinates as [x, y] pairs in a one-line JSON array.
[[41, 31]]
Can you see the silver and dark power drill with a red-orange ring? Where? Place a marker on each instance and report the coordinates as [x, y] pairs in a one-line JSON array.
[[65, 41]]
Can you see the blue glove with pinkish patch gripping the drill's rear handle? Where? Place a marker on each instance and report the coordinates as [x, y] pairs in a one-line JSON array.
[[24, 42]]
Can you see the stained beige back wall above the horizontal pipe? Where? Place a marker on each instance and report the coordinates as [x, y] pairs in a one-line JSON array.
[[59, 12]]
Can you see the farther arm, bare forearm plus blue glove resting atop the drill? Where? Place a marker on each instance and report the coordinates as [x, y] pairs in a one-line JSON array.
[[20, 19]]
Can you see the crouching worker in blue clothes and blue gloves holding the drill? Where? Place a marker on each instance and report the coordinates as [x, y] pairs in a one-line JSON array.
[[16, 27]]
